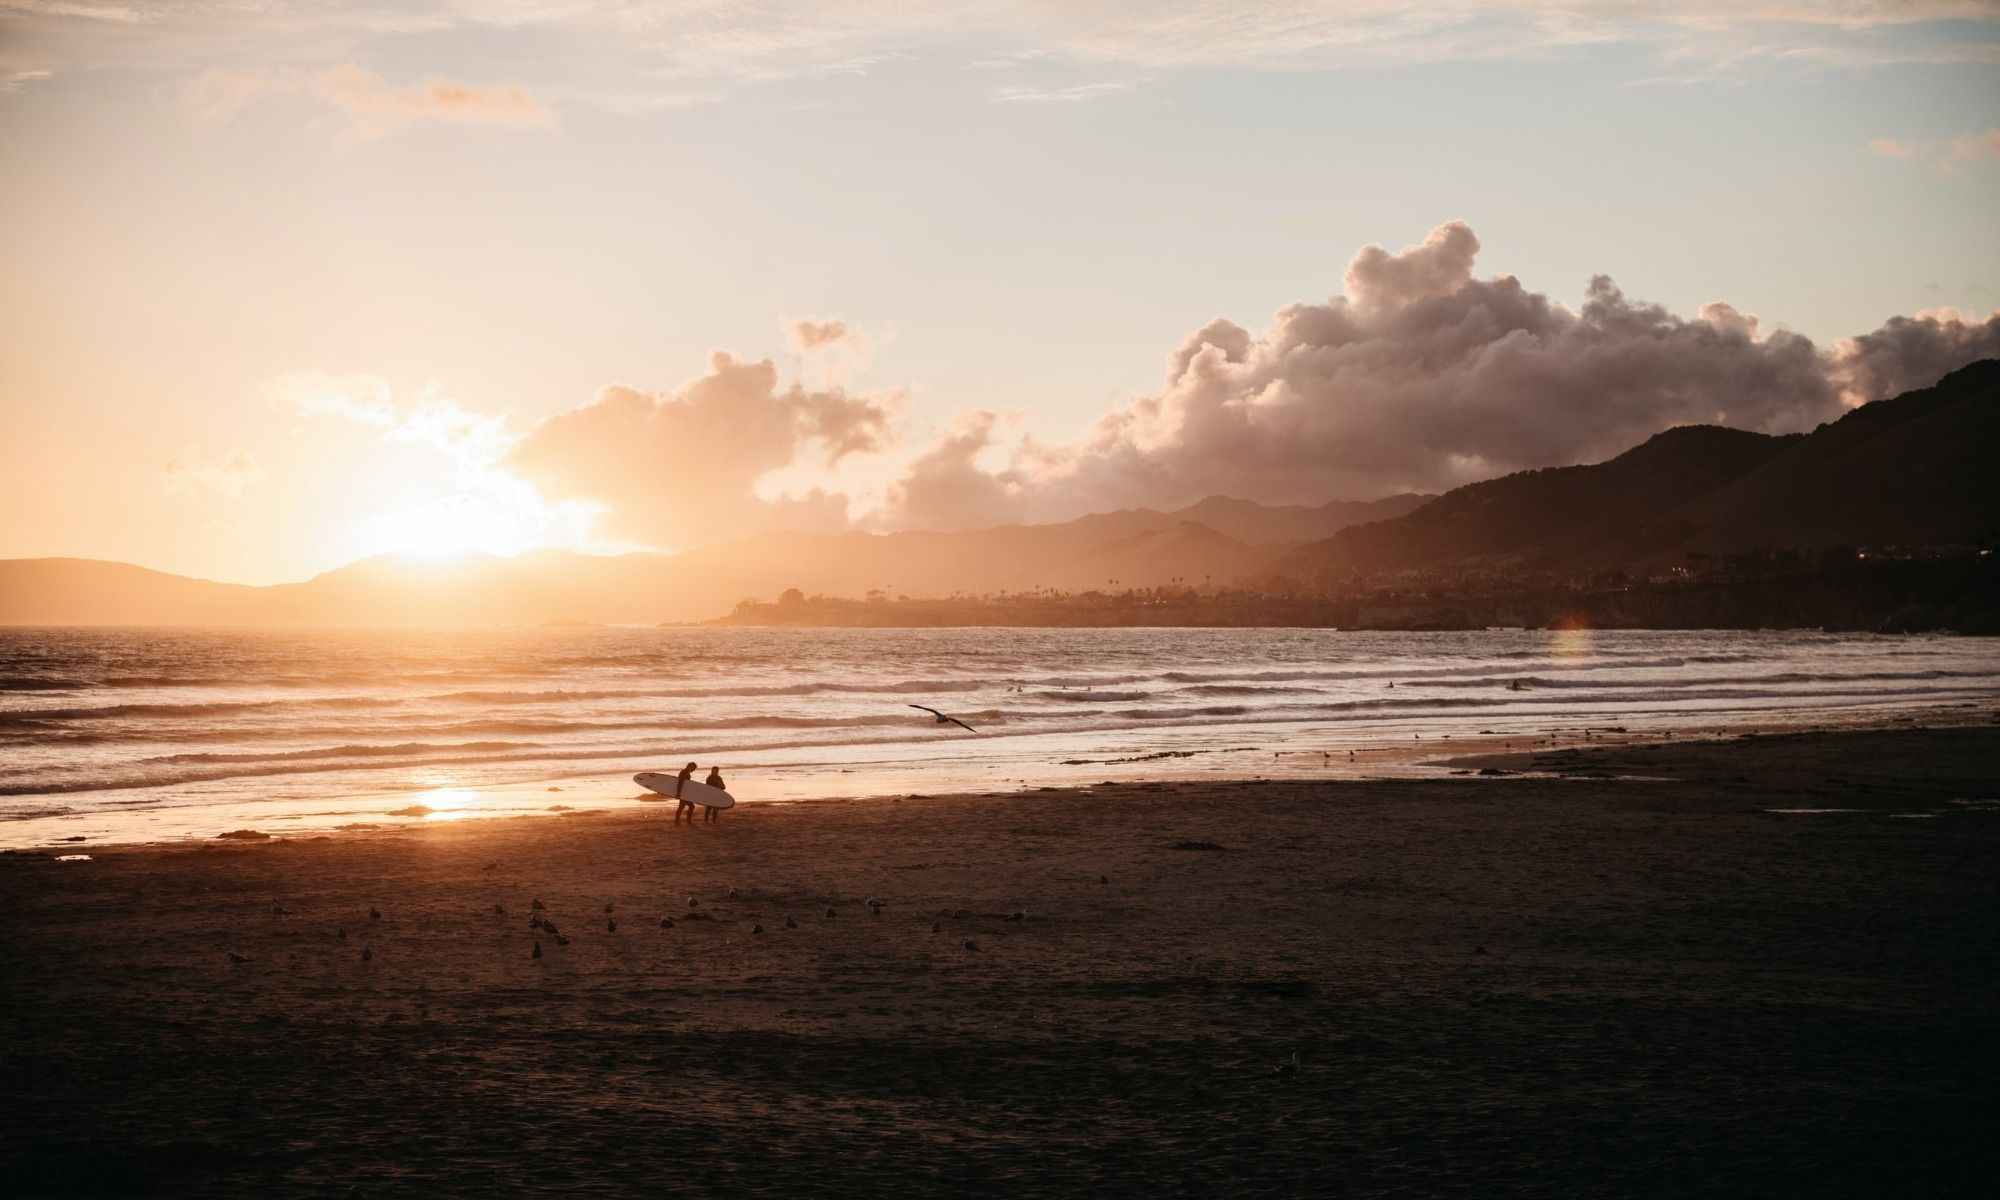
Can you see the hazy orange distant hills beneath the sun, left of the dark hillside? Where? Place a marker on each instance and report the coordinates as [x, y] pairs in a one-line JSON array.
[[1135, 549]]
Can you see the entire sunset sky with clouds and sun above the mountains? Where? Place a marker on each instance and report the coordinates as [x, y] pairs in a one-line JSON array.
[[291, 285]]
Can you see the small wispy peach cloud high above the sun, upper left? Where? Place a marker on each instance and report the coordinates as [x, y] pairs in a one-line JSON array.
[[367, 99]]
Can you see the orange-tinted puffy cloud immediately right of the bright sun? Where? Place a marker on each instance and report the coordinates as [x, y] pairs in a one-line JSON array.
[[683, 469]]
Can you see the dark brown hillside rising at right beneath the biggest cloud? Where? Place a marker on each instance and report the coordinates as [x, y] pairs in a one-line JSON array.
[[1913, 471]]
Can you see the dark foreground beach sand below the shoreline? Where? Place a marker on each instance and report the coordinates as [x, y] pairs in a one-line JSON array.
[[1391, 989]]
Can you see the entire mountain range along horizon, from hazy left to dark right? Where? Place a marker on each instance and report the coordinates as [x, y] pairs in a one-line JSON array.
[[1913, 471]]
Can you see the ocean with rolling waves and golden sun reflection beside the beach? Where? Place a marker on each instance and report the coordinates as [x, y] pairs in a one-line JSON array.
[[175, 733]]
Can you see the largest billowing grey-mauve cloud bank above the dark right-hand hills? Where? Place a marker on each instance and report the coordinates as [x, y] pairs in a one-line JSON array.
[[1423, 377]]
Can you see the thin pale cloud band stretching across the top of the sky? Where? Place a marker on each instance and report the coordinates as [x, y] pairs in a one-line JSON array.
[[675, 49]]
